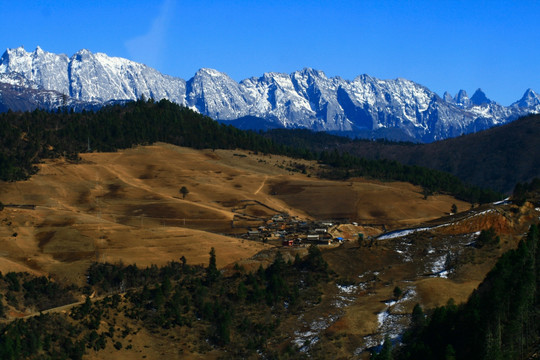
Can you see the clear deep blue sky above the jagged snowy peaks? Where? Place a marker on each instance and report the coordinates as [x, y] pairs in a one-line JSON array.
[[444, 45]]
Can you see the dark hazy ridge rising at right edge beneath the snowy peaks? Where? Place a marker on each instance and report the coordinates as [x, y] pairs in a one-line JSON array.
[[497, 158]]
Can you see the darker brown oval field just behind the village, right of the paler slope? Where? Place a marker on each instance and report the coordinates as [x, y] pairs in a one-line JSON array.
[[393, 204]]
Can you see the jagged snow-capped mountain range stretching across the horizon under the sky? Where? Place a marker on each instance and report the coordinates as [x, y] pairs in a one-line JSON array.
[[303, 99]]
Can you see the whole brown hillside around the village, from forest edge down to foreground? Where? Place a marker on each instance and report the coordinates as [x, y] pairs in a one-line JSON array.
[[125, 208]]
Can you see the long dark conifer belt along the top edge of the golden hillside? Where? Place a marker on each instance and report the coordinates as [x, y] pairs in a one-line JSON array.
[[26, 138]]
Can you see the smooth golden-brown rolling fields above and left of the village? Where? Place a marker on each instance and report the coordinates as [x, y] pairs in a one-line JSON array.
[[126, 206]]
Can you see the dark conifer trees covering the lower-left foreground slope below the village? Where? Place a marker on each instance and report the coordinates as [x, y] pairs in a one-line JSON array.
[[240, 313]]
